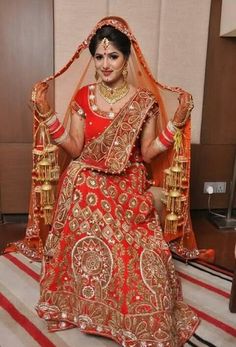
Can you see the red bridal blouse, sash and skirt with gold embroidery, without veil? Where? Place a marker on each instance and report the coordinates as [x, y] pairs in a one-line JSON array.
[[111, 271]]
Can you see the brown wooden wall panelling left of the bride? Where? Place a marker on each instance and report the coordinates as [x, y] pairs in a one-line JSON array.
[[26, 41]]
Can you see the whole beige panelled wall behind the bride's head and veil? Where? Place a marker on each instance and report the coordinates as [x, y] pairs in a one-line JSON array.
[[172, 34]]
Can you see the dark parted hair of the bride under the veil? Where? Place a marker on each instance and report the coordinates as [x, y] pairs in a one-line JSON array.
[[120, 40]]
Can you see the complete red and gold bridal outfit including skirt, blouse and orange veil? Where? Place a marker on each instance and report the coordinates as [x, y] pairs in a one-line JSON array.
[[107, 266]]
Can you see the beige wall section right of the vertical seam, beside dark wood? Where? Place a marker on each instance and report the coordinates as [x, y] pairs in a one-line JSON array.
[[182, 50]]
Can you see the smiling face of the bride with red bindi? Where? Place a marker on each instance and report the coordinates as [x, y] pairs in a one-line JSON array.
[[109, 63]]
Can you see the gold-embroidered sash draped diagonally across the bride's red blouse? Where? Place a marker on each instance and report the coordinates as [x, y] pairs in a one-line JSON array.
[[111, 150]]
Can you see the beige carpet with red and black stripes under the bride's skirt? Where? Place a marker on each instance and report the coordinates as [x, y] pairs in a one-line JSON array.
[[207, 291]]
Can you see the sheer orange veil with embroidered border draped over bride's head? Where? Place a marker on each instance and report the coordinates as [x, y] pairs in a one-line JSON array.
[[170, 169]]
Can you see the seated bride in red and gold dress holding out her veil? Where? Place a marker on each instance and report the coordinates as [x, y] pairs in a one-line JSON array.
[[107, 268]]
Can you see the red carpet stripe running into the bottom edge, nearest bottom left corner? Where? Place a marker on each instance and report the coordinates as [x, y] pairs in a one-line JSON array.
[[25, 323]]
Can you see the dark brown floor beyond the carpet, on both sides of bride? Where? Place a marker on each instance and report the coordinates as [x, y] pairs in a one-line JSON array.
[[207, 235]]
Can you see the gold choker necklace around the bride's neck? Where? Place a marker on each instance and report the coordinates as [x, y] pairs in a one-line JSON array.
[[112, 95]]
